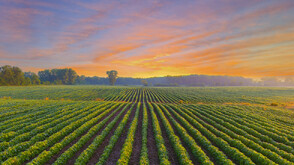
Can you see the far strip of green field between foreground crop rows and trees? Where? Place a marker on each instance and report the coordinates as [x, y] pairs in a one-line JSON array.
[[221, 95]]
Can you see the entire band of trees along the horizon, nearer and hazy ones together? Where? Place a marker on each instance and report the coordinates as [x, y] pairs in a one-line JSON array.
[[13, 76]]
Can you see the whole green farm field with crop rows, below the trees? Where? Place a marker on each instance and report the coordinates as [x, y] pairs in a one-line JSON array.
[[146, 125]]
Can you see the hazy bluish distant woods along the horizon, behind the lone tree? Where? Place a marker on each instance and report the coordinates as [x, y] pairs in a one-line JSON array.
[[190, 80]]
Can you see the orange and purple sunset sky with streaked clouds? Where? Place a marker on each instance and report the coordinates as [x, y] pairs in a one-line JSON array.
[[252, 38]]
